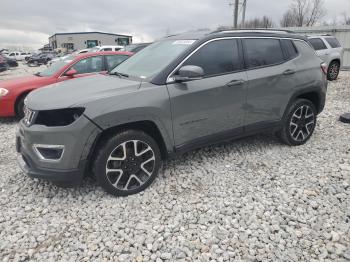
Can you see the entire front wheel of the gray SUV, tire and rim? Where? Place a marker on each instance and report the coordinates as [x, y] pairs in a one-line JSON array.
[[127, 163]]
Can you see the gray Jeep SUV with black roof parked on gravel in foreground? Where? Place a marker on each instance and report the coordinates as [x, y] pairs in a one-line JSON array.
[[178, 94]]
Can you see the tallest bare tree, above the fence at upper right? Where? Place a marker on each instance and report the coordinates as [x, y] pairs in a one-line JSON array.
[[303, 13]]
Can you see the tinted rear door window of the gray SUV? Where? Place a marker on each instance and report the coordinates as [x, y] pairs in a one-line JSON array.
[[263, 52]]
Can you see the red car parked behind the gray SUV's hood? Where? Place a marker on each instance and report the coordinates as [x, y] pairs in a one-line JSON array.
[[14, 91]]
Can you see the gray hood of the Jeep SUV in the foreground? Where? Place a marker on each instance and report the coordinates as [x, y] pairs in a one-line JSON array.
[[78, 92]]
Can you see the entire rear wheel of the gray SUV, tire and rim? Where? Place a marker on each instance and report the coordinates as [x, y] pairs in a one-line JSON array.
[[299, 123]]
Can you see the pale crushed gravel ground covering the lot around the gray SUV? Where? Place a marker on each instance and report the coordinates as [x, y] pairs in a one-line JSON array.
[[252, 200]]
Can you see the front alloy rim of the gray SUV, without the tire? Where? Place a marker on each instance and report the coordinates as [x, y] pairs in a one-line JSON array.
[[130, 165]]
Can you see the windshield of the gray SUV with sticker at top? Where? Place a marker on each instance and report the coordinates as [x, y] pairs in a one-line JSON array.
[[153, 58]]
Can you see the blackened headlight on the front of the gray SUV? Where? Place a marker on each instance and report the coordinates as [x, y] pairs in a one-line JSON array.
[[58, 117]]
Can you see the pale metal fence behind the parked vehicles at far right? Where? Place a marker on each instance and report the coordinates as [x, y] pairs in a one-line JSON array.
[[342, 33]]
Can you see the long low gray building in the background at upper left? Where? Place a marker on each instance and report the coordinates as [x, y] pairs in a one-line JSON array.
[[82, 40]]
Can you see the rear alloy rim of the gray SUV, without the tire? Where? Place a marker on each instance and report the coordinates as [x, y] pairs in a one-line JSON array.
[[302, 123]]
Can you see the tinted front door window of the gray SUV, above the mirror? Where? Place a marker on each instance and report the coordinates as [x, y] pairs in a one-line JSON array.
[[217, 57]]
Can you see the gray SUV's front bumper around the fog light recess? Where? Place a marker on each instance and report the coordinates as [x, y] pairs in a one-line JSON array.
[[77, 138]]
